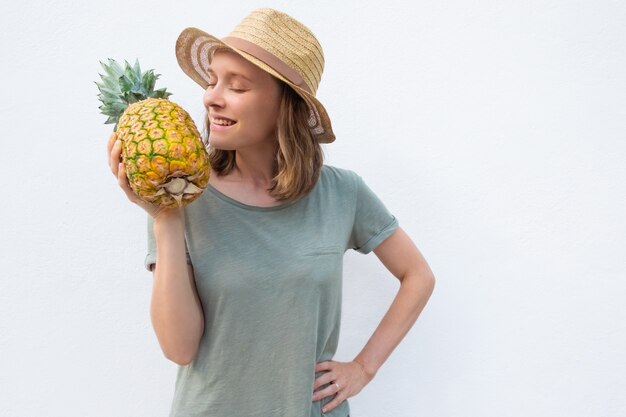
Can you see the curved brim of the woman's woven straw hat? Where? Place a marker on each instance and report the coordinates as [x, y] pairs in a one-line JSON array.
[[193, 48]]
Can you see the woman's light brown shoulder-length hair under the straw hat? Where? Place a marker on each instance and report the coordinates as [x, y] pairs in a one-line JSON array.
[[298, 157]]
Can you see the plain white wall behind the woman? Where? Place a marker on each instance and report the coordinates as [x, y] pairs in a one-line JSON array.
[[493, 130]]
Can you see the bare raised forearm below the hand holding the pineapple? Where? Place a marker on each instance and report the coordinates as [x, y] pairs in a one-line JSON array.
[[175, 310]]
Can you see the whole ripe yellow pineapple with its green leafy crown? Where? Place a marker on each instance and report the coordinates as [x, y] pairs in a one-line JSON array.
[[165, 159]]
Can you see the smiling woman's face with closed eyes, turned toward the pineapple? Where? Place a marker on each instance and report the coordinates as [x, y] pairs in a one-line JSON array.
[[246, 95]]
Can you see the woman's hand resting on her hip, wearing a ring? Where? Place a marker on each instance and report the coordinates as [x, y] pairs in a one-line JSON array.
[[347, 379]]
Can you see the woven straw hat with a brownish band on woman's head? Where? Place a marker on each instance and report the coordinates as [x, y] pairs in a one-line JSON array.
[[275, 42]]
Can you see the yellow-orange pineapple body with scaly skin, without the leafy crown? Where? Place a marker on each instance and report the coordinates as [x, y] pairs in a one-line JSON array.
[[161, 148]]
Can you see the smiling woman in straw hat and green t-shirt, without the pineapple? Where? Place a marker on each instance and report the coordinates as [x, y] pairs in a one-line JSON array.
[[247, 279]]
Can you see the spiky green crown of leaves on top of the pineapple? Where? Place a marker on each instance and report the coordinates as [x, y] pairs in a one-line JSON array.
[[123, 86]]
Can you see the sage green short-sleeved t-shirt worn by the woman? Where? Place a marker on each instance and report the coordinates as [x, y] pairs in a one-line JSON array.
[[270, 282]]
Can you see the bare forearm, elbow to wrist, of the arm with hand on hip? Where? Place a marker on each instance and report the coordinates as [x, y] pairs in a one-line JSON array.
[[414, 292]]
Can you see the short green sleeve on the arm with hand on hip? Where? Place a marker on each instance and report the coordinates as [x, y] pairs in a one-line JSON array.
[[373, 223]]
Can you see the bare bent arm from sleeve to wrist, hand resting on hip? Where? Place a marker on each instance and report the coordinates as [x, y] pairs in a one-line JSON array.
[[402, 258]]
